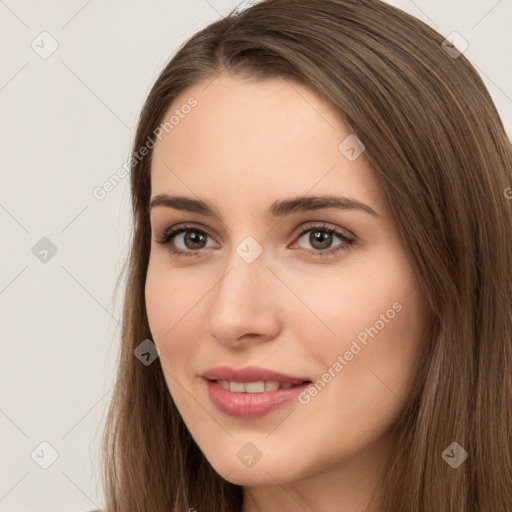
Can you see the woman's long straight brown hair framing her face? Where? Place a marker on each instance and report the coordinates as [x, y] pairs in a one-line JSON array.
[[439, 149]]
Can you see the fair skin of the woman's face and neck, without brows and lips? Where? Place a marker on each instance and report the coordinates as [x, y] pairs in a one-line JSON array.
[[246, 144]]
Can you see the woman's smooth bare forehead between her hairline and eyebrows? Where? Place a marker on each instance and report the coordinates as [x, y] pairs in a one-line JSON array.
[[271, 137]]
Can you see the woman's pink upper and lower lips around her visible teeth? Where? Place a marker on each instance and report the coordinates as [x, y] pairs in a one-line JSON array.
[[250, 405]]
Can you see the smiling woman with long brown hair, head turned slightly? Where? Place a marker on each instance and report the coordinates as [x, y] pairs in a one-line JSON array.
[[318, 313]]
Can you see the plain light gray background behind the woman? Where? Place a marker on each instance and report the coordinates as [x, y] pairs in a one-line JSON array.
[[67, 125]]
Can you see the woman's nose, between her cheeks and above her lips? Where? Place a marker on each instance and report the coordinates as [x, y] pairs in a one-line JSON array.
[[244, 304]]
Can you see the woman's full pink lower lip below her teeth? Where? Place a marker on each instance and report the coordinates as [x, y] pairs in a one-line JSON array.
[[251, 405]]
